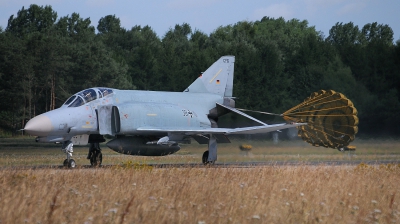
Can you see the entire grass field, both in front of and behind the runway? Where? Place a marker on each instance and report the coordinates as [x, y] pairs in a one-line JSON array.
[[132, 193]]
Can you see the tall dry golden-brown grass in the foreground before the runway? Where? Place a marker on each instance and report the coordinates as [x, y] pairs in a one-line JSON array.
[[288, 194]]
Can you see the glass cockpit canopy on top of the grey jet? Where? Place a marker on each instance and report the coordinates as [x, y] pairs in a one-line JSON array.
[[87, 95]]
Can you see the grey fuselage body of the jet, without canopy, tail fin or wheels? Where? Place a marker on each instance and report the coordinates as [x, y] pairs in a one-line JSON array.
[[135, 109]]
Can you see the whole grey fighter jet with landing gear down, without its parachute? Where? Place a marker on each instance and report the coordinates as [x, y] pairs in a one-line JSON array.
[[148, 123]]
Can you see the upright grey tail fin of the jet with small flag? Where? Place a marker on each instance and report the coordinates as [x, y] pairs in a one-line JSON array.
[[218, 78]]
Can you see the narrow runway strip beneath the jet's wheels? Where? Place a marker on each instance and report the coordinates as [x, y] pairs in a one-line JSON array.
[[217, 165]]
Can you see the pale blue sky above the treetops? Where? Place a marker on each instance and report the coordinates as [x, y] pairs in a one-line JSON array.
[[207, 15]]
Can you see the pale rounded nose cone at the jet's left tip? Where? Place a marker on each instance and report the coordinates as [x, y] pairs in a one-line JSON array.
[[39, 126]]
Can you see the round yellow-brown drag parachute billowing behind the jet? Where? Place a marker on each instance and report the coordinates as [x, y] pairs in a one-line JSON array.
[[331, 117]]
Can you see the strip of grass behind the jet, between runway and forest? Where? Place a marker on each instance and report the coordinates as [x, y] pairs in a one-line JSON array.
[[26, 152]]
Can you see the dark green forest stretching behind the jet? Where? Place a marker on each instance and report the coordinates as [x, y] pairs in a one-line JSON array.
[[45, 58]]
